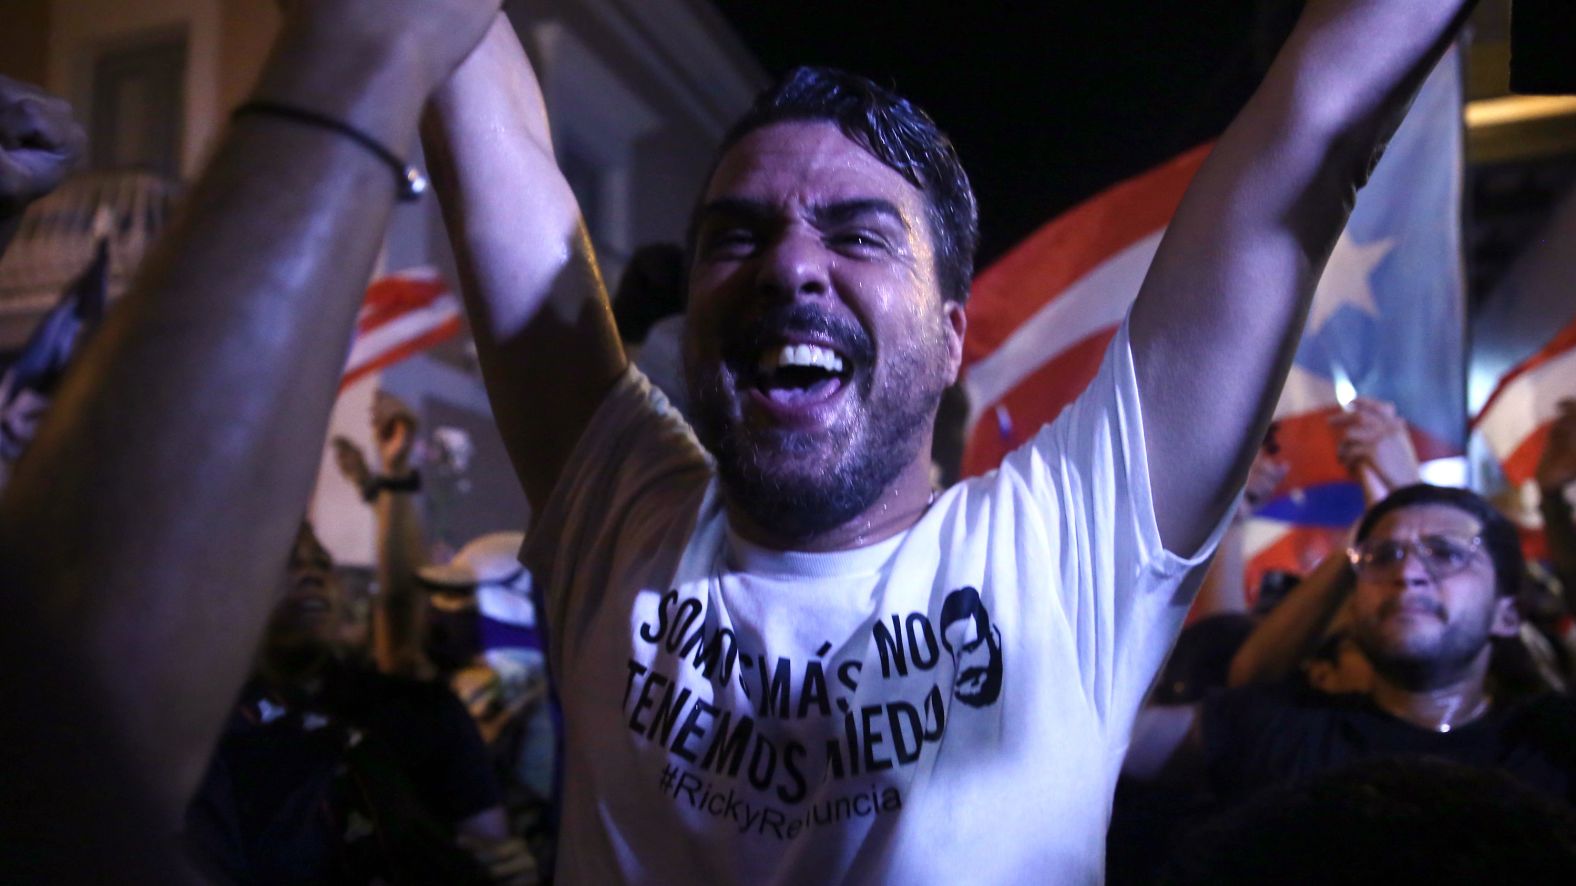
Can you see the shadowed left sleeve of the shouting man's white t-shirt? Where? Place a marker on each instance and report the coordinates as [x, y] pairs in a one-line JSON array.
[[636, 474]]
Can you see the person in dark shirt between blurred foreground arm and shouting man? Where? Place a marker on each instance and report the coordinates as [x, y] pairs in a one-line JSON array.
[[330, 773]]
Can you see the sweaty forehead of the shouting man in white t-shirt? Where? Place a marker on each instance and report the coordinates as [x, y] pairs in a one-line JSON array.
[[808, 163]]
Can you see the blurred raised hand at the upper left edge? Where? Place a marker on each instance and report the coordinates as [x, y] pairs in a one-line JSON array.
[[40, 143]]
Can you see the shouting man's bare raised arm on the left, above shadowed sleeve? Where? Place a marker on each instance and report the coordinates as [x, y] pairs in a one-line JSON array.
[[538, 307]]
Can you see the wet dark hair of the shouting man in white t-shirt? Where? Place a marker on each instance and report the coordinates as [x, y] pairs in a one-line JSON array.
[[898, 135]]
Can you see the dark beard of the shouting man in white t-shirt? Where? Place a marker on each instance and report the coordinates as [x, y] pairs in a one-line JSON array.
[[778, 477]]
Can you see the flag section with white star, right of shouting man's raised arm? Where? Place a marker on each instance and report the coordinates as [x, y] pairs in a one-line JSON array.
[[1388, 322]]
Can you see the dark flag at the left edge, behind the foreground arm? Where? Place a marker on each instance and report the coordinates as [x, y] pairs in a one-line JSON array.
[[29, 382]]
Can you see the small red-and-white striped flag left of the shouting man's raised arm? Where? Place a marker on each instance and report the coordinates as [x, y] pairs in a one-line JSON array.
[[403, 315]]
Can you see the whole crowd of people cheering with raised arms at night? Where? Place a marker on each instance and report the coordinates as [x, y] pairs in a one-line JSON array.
[[749, 638]]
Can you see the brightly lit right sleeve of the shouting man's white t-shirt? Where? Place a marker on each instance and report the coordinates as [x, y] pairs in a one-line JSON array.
[[1082, 490]]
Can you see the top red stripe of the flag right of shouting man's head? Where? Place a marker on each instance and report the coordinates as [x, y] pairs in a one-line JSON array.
[[1069, 248]]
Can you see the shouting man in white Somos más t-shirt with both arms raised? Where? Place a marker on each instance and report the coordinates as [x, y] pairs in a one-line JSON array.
[[748, 612]]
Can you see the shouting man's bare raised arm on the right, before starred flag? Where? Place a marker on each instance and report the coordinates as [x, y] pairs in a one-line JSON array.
[[1217, 321]]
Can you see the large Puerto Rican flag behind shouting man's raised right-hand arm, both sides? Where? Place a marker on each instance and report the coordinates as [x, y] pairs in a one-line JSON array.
[[1386, 322]]
